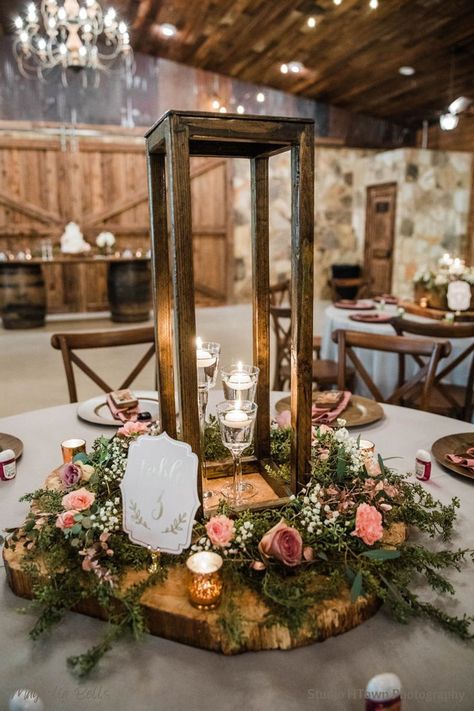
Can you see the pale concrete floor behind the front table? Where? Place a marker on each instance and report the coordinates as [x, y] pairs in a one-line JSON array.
[[32, 373]]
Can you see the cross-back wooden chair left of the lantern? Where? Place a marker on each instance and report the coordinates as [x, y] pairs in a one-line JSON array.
[[68, 343]]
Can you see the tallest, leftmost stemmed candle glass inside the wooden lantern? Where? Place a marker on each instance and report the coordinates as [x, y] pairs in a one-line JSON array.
[[207, 362]]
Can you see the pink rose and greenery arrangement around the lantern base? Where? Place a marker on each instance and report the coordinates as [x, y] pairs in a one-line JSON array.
[[337, 533]]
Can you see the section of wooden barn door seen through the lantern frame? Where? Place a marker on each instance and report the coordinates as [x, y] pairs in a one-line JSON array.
[[212, 233]]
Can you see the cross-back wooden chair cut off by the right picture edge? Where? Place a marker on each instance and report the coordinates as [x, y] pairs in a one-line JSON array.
[[446, 398]]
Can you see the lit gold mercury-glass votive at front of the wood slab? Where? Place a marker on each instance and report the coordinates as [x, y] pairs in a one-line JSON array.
[[204, 580]]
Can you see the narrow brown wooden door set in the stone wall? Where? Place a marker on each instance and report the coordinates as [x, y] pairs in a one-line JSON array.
[[379, 237]]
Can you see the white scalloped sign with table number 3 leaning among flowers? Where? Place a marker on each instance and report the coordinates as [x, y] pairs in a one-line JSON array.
[[159, 493]]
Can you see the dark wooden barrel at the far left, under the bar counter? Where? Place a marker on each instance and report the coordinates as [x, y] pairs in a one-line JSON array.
[[22, 295]]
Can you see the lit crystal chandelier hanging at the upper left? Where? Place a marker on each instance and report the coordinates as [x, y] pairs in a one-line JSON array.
[[72, 35]]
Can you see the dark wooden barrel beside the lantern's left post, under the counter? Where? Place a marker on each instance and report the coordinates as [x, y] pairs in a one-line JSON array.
[[129, 288]]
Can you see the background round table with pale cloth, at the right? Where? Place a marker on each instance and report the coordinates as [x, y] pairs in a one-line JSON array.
[[383, 367]]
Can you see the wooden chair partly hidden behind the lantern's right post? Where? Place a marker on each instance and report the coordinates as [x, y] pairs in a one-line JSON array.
[[324, 372]]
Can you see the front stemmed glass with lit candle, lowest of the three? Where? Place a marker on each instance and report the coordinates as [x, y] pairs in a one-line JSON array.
[[237, 423]]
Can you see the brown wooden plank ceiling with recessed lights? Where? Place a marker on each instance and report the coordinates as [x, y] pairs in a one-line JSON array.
[[352, 57]]
